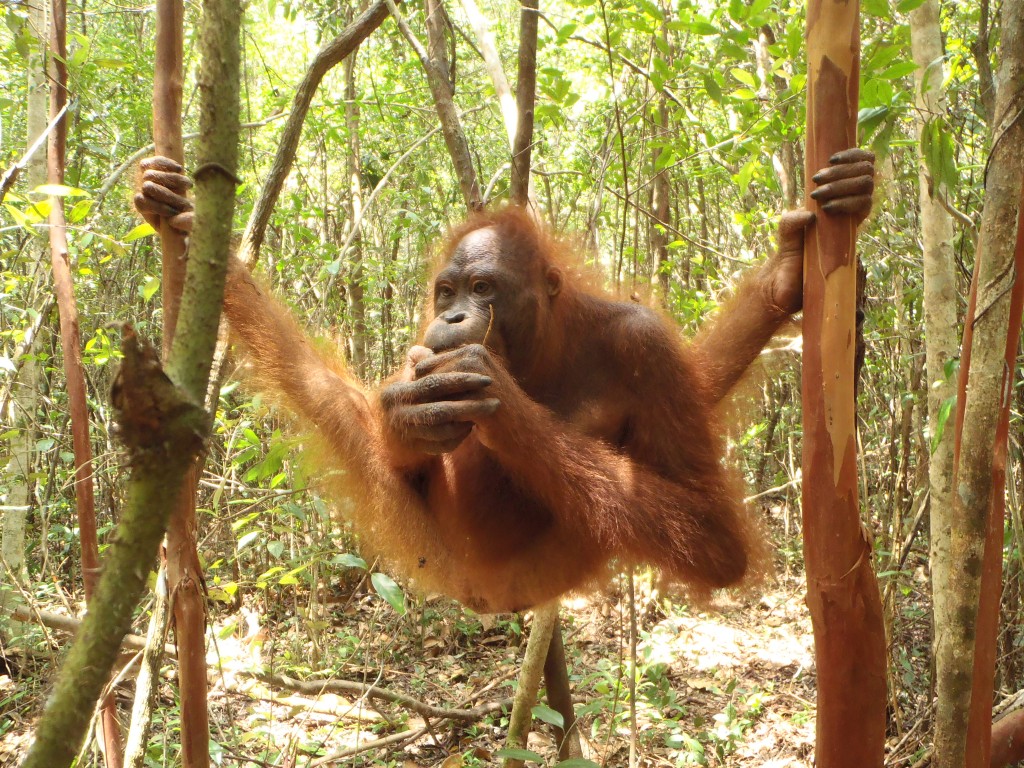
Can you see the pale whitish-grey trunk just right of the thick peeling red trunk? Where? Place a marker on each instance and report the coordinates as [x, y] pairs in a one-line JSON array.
[[942, 346]]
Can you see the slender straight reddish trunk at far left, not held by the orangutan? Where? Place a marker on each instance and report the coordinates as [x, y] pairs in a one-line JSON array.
[[71, 345]]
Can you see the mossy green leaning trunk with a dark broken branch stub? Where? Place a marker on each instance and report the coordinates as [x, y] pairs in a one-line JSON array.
[[163, 425]]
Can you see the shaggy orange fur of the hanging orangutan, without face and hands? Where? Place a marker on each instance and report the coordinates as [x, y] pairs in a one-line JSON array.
[[606, 446]]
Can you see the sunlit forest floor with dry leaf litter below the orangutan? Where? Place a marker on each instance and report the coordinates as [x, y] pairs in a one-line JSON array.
[[730, 686]]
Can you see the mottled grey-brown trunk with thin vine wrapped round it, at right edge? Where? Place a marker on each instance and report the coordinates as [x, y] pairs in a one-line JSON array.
[[966, 649]]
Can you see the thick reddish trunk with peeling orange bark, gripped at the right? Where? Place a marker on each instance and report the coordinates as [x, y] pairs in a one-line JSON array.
[[842, 593]]
